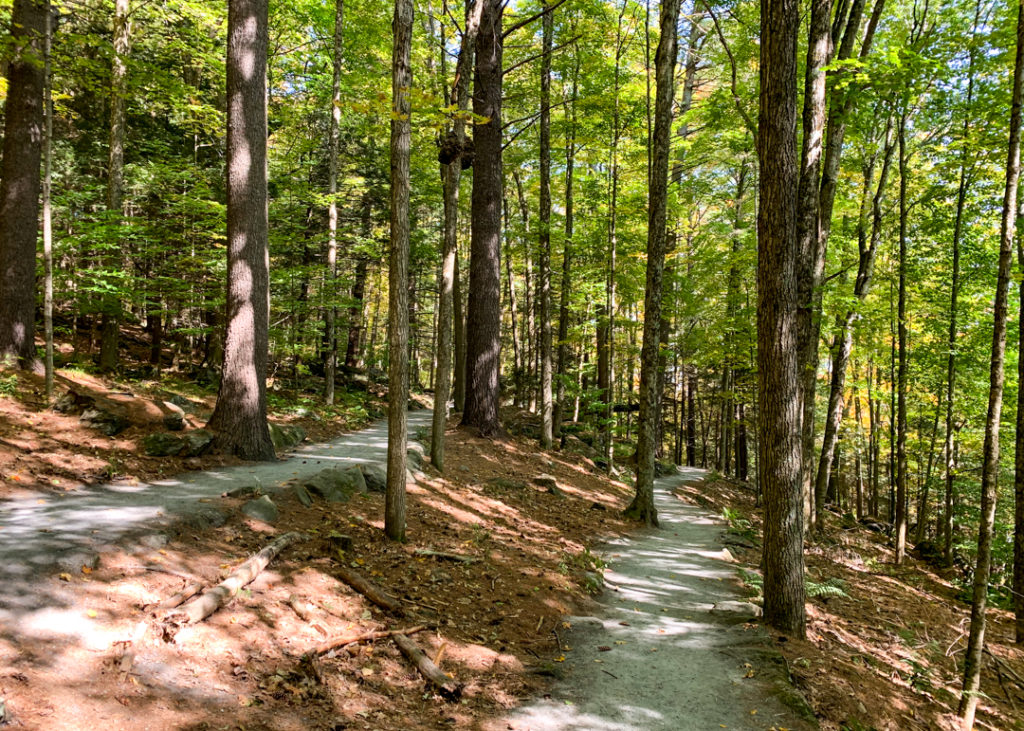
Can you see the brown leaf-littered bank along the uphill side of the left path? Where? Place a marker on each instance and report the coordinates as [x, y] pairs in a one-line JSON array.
[[42, 450]]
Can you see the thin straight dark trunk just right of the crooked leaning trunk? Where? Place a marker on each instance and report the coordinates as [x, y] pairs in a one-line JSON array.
[[902, 467]]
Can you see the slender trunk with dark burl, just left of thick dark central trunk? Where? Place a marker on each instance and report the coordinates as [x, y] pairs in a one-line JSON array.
[[451, 176]]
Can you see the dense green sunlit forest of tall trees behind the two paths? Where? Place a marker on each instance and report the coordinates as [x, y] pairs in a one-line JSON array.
[[773, 242]]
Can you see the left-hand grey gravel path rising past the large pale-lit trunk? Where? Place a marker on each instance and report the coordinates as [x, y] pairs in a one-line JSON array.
[[42, 533]]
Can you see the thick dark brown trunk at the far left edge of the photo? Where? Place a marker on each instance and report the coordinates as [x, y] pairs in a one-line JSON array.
[[20, 182]]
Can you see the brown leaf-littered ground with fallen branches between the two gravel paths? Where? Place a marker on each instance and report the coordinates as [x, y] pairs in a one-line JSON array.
[[492, 624]]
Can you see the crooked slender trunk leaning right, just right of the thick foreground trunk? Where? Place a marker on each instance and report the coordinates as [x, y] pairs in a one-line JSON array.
[[868, 244]]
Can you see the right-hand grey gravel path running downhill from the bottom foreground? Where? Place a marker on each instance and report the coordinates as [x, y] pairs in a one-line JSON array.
[[660, 657]]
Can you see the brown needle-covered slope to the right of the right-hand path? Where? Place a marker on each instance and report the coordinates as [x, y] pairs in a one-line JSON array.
[[889, 656]]
